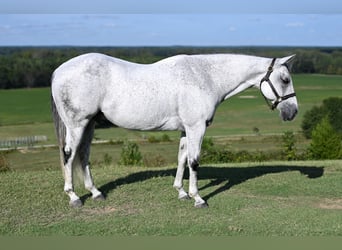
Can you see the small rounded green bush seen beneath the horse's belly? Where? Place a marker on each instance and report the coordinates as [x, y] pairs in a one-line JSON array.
[[130, 154]]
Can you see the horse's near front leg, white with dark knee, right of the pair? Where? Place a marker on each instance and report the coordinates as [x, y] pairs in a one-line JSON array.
[[194, 141]]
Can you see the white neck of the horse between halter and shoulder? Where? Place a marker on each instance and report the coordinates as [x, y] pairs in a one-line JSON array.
[[231, 74]]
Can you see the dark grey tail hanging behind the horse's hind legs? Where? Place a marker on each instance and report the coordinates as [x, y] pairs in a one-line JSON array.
[[60, 131]]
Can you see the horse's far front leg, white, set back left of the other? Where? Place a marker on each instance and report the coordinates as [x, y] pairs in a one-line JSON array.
[[182, 156]]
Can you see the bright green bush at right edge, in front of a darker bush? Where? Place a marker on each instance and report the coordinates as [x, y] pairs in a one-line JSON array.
[[326, 142]]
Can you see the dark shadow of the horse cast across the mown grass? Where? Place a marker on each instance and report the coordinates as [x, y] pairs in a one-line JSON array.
[[232, 176]]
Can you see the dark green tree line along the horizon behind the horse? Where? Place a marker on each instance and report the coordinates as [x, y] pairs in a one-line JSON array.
[[27, 67]]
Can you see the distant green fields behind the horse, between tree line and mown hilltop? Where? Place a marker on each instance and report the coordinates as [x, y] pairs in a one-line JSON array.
[[26, 112]]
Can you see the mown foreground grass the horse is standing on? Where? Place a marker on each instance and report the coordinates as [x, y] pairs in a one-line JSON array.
[[249, 199]]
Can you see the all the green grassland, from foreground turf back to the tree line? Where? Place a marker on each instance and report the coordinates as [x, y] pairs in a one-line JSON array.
[[254, 199]]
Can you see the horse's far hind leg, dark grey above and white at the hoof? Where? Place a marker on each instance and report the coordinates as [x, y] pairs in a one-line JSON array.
[[84, 152]]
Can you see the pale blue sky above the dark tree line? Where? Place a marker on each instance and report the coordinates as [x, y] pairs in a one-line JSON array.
[[171, 23]]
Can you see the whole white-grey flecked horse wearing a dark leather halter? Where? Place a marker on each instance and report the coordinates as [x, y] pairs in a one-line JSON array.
[[177, 93]]
